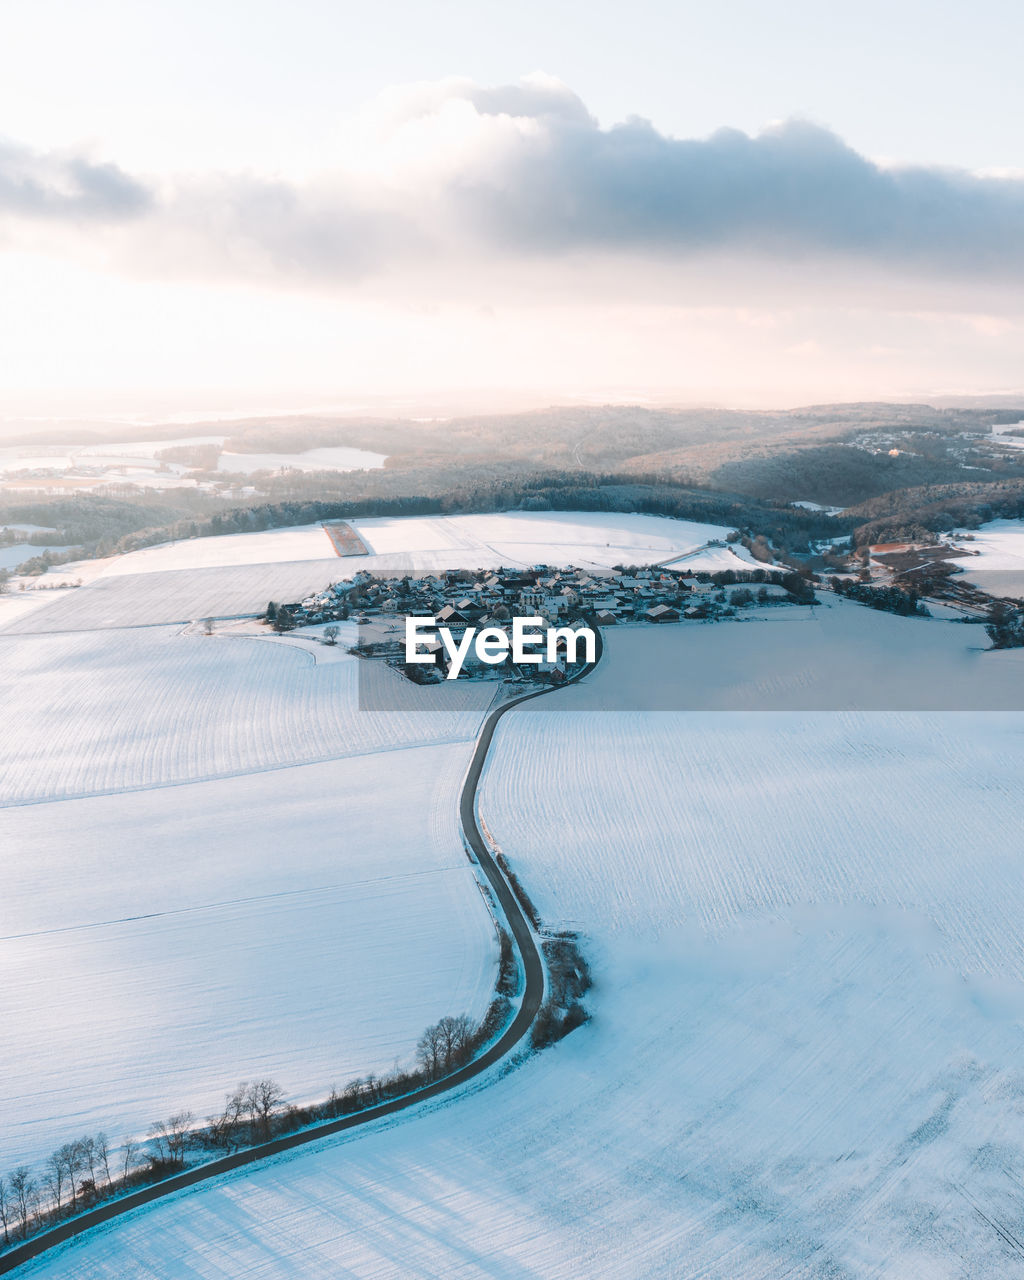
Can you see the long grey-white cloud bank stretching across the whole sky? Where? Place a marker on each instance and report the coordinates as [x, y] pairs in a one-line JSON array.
[[451, 176]]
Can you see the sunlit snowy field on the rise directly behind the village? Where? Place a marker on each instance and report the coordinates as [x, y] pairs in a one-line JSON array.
[[240, 573]]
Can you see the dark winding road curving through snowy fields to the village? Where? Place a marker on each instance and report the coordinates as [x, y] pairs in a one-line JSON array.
[[533, 996]]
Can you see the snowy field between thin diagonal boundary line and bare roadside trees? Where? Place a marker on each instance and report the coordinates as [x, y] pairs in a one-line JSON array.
[[159, 947]]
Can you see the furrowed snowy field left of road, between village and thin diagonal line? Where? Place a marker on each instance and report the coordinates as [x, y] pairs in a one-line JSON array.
[[100, 712]]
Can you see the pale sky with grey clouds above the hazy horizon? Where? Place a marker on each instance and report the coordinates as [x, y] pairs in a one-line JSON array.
[[239, 208]]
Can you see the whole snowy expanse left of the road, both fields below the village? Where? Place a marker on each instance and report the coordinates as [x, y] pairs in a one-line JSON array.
[[216, 866]]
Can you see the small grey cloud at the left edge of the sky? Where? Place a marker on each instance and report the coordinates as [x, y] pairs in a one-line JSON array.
[[56, 186]]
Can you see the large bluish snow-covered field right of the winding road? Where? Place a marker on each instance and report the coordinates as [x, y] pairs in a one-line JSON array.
[[807, 1057]]
